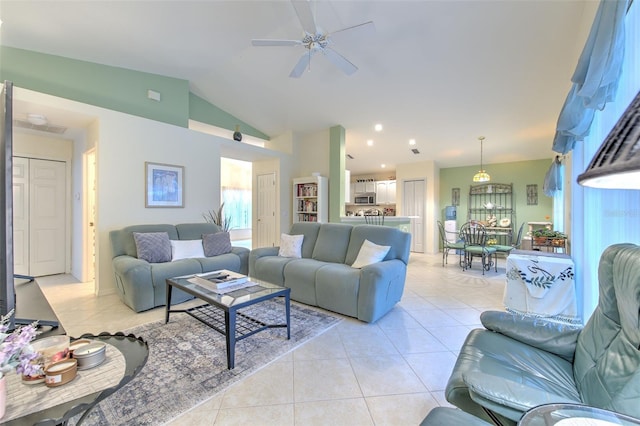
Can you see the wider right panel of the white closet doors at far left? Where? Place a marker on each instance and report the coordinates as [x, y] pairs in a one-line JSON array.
[[47, 211]]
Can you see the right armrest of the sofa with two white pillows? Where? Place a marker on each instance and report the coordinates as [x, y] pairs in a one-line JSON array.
[[381, 287]]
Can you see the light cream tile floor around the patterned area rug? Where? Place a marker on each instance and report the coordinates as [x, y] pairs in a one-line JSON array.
[[392, 372]]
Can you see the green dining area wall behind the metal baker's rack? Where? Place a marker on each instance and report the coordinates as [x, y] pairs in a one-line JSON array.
[[520, 174]]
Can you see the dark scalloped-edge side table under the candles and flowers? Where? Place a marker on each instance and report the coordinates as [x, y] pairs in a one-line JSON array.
[[135, 352]]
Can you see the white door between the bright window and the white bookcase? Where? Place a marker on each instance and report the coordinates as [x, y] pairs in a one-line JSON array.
[[266, 211]]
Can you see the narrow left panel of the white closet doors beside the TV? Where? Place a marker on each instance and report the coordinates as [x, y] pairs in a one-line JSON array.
[[21, 215]]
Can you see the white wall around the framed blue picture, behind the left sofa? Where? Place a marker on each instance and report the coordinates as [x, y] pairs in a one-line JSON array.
[[123, 144]]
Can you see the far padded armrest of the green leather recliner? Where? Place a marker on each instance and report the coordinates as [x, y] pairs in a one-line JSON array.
[[559, 339]]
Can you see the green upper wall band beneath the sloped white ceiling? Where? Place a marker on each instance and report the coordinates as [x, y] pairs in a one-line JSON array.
[[114, 88]]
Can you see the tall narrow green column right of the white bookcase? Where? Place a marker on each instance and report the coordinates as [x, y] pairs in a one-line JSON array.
[[336, 173]]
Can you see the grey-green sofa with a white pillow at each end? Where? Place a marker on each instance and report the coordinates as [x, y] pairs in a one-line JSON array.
[[323, 275]]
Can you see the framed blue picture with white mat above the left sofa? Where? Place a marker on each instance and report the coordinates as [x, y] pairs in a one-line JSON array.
[[164, 185]]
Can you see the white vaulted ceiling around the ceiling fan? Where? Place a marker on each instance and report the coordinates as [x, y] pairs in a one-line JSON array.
[[440, 72]]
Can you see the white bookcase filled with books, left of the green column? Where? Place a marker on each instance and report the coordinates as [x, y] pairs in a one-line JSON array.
[[311, 199]]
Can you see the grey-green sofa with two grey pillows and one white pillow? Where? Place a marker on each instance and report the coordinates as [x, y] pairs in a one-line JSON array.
[[142, 285]]
